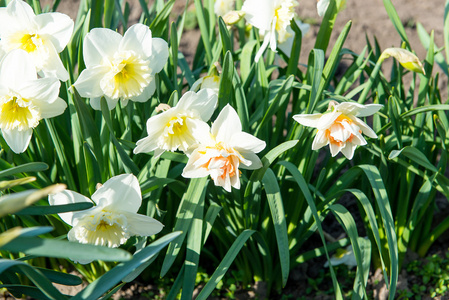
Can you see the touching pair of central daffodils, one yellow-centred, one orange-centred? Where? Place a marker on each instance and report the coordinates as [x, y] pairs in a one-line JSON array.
[[217, 151]]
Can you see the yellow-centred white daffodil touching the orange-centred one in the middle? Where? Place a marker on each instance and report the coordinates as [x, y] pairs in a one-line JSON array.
[[174, 128]]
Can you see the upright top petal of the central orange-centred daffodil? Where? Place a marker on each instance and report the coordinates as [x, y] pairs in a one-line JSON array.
[[226, 125]]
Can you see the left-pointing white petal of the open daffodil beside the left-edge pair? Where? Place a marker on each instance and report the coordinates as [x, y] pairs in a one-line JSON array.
[[88, 83]]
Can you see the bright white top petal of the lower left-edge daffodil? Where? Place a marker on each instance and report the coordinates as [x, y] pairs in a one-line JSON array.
[[16, 67]]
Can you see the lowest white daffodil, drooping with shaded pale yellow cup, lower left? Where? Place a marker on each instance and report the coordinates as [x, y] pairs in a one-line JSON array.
[[114, 218]]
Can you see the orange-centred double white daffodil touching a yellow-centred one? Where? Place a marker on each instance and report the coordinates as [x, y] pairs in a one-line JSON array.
[[224, 149]]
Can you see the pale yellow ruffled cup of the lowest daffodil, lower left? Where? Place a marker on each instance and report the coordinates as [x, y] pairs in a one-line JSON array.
[[103, 229]]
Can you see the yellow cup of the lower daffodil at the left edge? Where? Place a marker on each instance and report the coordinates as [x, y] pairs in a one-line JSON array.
[[18, 113]]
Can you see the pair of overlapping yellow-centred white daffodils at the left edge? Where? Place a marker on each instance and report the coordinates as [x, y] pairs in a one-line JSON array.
[[30, 70]]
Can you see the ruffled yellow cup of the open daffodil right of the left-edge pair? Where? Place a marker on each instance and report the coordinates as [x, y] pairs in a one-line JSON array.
[[128, 76]]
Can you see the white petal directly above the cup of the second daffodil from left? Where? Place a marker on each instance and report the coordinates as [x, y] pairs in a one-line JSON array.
[[138, 39]]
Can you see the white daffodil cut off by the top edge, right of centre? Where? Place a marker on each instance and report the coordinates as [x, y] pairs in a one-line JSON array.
[[271, 17]]
